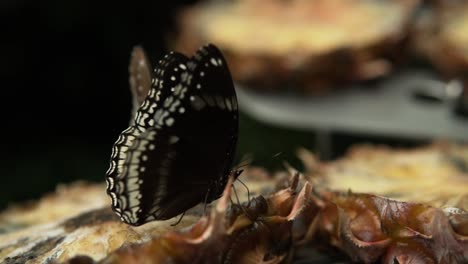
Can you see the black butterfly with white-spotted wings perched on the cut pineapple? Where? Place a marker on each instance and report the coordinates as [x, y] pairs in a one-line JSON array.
[[180, 145]]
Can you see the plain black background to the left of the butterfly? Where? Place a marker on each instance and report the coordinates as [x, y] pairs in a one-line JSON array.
[[64, 85]]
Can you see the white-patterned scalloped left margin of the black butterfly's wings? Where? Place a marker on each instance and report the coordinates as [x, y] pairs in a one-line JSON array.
[[121, 173]]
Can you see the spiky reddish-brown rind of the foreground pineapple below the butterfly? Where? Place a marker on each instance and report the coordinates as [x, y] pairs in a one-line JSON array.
[[366, 227]]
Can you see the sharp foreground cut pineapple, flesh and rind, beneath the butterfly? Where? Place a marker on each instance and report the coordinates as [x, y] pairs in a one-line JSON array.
[[276, 226]]
